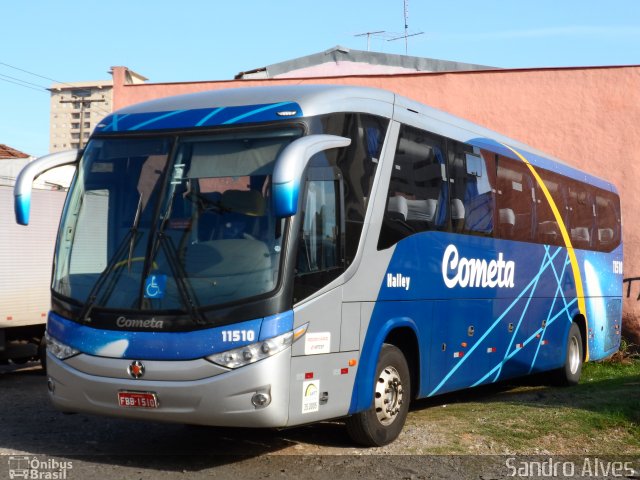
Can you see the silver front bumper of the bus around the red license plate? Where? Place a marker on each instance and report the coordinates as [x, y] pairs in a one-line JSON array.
[[191, 392]]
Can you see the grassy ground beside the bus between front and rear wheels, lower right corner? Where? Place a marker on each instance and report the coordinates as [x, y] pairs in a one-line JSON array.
[[600, 415]]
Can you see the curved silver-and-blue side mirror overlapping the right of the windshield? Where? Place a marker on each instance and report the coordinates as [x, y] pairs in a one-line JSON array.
[[290, 166]]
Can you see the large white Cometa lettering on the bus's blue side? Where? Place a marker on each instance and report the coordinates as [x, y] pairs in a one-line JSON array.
[[464, 272]]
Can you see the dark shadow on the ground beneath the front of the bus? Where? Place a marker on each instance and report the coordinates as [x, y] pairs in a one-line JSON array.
[[31, 424]]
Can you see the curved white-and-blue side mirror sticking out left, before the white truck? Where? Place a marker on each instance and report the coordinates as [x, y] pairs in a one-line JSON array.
[[24, 182]]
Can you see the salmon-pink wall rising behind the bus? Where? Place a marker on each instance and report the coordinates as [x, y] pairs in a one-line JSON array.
[[588, 117]]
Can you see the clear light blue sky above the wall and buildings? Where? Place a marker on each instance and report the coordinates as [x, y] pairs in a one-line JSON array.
[[193, 40]]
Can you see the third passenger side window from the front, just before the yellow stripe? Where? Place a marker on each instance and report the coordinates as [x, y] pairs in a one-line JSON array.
[[515, 199]]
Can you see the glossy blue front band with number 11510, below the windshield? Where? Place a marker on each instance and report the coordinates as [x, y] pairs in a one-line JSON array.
[[158, 345]]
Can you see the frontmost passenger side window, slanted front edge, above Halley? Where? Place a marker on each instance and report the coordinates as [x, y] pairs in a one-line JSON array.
[[417, 197]]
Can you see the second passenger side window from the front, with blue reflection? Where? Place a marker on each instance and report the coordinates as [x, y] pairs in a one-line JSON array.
[[472, 175]]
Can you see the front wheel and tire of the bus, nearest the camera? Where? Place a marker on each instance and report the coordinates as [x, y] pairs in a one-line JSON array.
[[382, 423]]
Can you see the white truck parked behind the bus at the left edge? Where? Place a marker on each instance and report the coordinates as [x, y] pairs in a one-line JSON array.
[[26, 255]]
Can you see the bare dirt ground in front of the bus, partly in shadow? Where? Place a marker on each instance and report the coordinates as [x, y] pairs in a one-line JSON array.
[[100, 447]]
